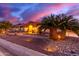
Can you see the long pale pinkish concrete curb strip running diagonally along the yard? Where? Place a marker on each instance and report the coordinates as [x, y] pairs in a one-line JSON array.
[[18, 49]]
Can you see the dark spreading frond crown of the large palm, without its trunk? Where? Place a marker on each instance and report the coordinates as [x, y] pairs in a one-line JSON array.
[[61, 21]]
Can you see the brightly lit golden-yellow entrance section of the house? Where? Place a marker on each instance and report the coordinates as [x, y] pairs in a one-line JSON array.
[[31, 27]]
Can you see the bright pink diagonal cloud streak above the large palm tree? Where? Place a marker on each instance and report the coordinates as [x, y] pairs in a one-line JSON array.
[[50, 10]]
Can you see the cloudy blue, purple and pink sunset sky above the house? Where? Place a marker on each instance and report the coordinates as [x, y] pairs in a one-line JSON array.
[[20, 12]]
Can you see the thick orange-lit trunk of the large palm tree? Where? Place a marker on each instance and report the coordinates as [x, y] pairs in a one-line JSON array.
[[55, 35]]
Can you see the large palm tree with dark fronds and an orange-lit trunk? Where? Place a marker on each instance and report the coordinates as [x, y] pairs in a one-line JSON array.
[[58, 24]]
